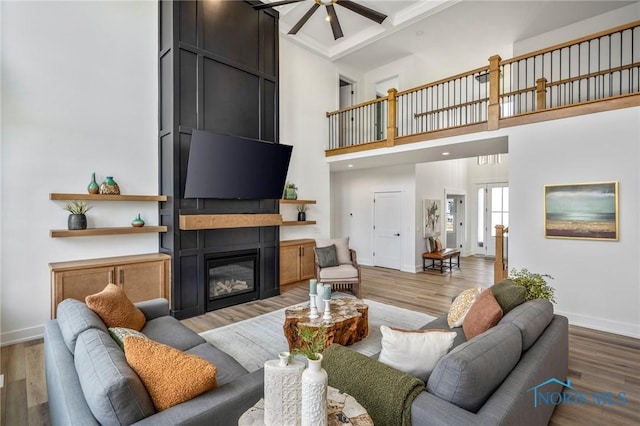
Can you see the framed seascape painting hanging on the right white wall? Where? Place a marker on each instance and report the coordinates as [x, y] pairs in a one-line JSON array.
[[585, 210]]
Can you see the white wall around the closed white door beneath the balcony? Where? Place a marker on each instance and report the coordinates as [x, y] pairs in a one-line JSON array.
[[353, 192]]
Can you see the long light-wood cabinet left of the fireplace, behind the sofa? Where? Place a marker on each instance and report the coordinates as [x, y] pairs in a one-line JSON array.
[[143, 277]]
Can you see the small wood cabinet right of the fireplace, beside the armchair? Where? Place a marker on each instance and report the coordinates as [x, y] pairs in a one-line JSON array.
[[296, 260]]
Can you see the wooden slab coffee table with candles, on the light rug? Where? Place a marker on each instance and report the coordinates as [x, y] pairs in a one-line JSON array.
[[349, 322]]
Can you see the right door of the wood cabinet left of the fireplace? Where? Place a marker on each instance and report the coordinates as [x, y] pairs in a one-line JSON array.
[[142, 281]]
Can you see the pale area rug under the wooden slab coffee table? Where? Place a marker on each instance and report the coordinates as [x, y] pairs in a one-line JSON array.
[[253, 341]]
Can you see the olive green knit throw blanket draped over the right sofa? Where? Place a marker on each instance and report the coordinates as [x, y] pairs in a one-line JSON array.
[[383, 391]]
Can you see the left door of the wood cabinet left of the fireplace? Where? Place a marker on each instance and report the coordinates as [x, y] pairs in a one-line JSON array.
[[79, 284]]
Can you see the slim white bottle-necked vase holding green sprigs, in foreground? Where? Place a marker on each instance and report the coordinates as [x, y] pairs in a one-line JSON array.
[[314, 394]]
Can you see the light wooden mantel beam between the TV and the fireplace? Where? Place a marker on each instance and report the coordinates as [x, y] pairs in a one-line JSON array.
[[191, 222]]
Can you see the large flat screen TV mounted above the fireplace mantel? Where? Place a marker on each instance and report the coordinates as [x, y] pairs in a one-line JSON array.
[[230, 167]]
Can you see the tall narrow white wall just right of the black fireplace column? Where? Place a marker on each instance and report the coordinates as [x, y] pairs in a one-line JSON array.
[[308, 89]]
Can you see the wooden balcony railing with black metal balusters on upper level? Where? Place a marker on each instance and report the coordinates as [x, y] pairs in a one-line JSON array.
[[601, 70]]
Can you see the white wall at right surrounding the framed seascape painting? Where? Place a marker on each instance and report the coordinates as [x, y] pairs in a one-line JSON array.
[[596, 282]]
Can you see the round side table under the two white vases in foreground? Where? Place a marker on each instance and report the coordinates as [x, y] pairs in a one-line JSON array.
[[342, 409]]
